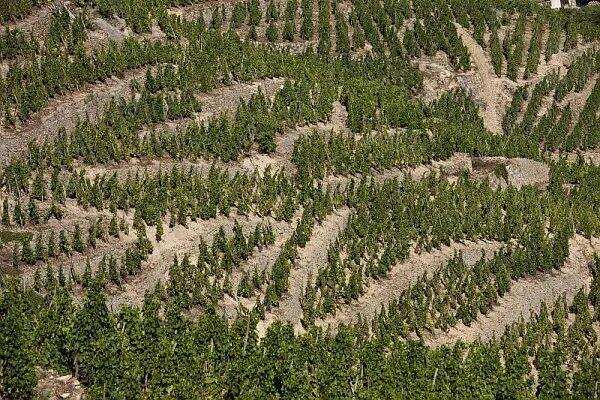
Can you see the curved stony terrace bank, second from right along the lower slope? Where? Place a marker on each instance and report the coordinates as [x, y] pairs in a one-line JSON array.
[[379, 293]]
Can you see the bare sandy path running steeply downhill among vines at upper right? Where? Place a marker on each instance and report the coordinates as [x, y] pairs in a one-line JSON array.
[[493, 92]]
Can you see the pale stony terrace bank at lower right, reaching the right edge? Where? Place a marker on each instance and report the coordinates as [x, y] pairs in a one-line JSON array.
[[527, 294]]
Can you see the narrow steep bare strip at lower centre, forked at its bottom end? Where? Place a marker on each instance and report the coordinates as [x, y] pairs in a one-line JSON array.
[[310, 258]]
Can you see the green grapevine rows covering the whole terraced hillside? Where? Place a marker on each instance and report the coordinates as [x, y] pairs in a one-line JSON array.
[[157, 350]]
